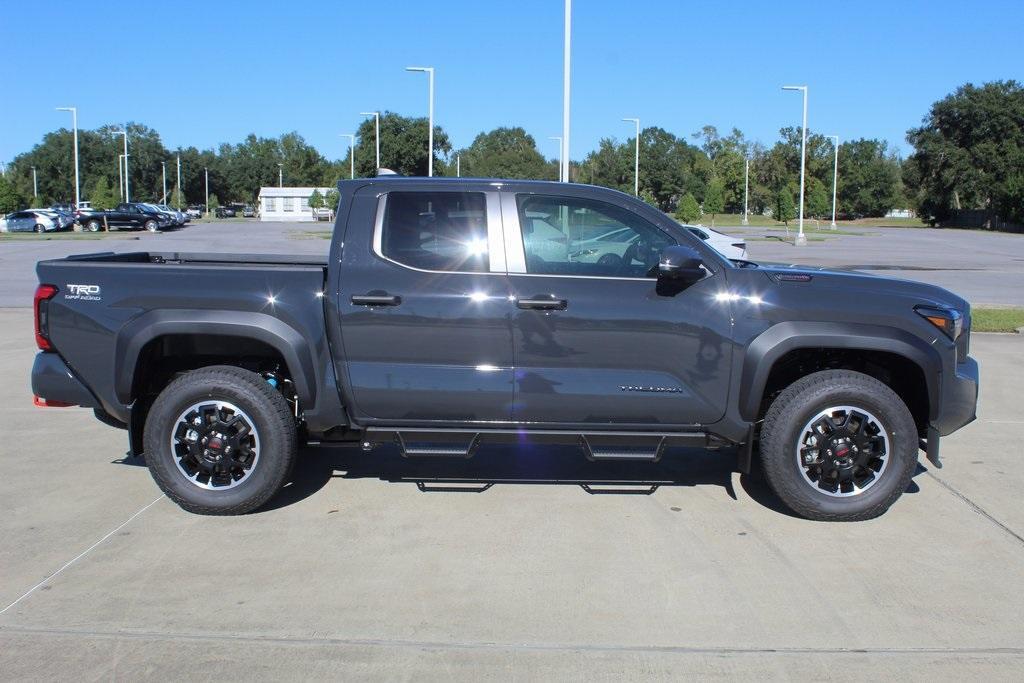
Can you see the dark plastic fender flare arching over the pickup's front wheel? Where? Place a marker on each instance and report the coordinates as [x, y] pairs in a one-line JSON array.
[[780, 339]]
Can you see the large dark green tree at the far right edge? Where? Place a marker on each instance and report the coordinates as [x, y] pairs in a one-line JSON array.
[[969, 154]]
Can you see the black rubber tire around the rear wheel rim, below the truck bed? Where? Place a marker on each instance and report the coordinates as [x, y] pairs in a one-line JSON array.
[[272, 419]]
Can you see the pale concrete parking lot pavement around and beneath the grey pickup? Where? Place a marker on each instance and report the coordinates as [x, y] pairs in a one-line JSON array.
[[520, 563]]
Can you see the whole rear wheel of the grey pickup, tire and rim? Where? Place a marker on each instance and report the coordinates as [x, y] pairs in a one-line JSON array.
[[221, 441]]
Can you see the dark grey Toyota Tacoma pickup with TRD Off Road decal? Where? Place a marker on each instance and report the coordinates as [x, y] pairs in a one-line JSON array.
[[454, 314]]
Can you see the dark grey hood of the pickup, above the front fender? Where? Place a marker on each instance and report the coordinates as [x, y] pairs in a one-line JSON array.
[[868, 284]]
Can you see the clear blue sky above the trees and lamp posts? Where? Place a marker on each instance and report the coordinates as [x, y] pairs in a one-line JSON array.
[[205, 73]]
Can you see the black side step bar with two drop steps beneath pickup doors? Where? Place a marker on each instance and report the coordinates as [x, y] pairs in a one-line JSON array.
[[644, 447]]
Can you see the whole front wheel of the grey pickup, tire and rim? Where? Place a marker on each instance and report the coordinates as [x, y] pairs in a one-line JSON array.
[[839, 446]]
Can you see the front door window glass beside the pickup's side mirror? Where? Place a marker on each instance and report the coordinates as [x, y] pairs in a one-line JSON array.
[[565, 236]]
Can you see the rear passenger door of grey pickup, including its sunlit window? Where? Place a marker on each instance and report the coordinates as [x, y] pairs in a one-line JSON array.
[[424, 308]]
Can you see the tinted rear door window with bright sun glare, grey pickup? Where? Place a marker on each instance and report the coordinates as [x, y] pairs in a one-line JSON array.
[[437, 231]]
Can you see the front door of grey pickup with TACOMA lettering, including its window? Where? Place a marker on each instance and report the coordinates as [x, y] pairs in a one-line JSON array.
[[596, 340]]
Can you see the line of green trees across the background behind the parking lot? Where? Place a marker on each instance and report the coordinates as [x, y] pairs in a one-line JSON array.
[[969, 154]]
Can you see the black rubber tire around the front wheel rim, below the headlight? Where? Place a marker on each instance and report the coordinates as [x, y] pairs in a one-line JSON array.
[[800, 403]]
